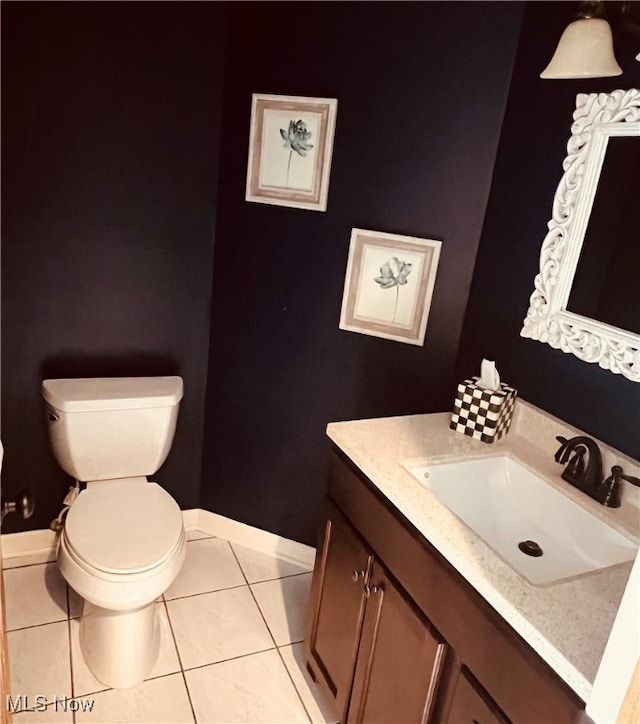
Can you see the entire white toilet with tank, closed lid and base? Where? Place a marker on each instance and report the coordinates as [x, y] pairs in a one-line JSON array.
[[123, 539]]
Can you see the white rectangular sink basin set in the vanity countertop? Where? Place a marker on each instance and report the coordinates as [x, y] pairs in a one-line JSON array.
[[506, 505]]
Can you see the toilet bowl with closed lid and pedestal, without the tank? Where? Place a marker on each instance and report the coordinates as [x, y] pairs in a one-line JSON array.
[[119, 559]]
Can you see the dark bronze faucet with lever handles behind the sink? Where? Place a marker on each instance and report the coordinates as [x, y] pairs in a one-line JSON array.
[[587, 476]]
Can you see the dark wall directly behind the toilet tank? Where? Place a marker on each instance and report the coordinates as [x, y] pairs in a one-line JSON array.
[[110, 133]]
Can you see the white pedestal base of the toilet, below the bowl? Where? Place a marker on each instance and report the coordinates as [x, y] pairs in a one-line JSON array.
[[120, 647]]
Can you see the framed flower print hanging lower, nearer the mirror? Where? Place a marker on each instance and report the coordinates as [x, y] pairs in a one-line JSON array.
[[388, 285]]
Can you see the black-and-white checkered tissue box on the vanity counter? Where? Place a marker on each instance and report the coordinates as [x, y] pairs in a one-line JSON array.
[[483, 414]]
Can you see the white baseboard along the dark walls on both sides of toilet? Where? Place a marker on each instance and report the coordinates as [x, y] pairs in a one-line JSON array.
[[43, 542]]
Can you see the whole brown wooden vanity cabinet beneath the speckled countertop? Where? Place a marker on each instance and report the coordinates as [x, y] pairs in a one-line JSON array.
[[395, 634]]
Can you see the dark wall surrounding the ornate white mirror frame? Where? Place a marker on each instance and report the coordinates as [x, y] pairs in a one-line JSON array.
[[528, 168]]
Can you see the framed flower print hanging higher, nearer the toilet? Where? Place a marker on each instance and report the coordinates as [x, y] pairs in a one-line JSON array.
[[290, 148]]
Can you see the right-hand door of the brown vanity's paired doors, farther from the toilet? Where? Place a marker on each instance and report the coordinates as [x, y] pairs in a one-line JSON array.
[[400, 658]]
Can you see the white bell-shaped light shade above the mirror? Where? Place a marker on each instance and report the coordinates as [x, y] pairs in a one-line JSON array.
[[585, 50]]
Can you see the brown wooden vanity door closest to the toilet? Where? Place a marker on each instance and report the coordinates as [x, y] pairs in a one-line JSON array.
[[337, 609]]
